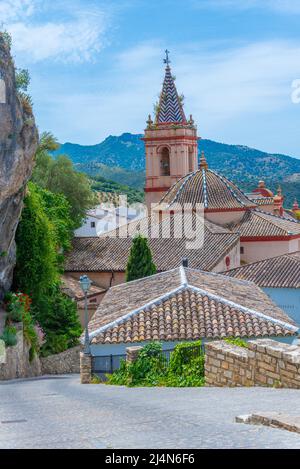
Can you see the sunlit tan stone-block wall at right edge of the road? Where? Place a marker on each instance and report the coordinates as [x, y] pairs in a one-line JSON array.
[[264, 362]]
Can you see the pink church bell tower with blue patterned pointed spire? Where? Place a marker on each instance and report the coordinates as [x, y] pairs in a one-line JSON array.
[[170, 142]]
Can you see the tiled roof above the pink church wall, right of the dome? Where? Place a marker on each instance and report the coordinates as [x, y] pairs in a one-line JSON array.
[[258, 223]]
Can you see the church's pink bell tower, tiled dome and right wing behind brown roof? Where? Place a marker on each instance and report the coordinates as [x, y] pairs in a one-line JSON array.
[[174, 179]]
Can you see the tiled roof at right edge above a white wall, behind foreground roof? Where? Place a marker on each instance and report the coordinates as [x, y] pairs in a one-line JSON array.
[[277, 272]]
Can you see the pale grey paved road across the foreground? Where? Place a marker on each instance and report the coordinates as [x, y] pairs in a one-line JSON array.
[[58, 412]]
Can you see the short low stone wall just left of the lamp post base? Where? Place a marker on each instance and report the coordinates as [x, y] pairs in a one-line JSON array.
[[61, 363]]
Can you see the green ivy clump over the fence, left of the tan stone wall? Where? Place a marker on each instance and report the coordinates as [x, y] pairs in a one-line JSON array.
[[186, 367]]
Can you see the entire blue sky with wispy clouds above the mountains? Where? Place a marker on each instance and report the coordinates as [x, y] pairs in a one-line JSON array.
[[96, 67]]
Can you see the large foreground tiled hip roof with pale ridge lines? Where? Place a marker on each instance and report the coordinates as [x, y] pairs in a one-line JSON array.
[[185, 304]]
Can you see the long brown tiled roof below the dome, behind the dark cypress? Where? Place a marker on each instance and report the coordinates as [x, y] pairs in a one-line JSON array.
[[108, 253]]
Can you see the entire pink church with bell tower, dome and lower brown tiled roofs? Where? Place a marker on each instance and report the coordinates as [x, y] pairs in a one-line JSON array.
[[238, 228]]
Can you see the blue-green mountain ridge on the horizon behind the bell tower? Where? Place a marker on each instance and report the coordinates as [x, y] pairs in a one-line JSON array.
[[122, 159]]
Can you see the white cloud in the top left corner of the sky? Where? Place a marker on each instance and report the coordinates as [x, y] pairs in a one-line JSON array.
[[77, 36]]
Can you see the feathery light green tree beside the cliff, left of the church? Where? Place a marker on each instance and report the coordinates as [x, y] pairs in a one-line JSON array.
[[59, 177]]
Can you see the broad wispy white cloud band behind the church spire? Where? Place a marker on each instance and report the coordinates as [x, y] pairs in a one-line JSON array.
[[229, 88]]
